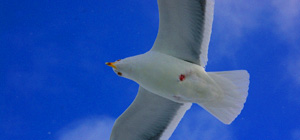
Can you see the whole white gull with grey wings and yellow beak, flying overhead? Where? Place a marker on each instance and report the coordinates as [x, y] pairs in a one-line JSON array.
[[172, 76]]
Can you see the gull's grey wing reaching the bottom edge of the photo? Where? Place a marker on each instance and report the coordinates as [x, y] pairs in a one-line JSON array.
[[149, 117]]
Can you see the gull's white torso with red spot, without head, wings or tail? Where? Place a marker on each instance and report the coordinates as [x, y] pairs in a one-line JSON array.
[[160, 74]]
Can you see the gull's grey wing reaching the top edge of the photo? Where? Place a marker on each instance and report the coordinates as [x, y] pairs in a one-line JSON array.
[[185, 29]]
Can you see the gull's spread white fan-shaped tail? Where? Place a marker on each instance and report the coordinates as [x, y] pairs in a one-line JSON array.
[[235, 88]]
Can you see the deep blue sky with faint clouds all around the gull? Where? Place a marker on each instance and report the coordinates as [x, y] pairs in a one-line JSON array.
[[54, 84]]
